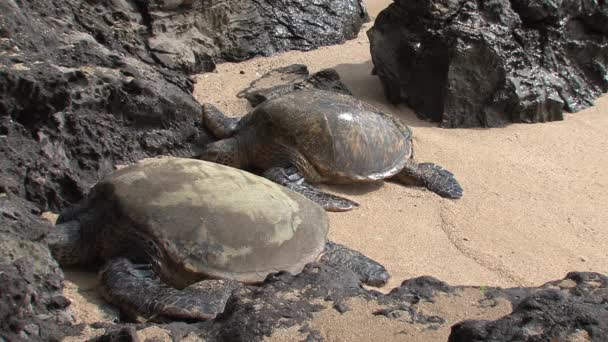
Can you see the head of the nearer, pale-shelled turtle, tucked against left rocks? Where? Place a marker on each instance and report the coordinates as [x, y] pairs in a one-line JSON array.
[[65, 243]]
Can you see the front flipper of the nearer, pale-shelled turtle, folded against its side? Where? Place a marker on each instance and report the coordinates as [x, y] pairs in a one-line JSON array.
[[138, 292]]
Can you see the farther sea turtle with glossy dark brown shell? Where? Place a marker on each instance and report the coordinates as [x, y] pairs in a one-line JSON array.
[[314, 136]]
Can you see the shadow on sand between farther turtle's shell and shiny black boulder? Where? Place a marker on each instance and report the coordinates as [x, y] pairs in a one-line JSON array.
[[367, 87]]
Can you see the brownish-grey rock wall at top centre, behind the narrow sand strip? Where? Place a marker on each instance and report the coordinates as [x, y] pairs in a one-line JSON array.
[[191, 35]]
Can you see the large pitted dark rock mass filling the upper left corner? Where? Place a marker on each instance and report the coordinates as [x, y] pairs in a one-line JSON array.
[[71, 107]]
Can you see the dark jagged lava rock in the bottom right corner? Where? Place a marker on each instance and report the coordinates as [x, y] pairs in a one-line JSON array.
[[573, 309]]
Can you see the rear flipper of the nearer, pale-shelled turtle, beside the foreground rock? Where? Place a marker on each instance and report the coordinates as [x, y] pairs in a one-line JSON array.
[[369, 271]]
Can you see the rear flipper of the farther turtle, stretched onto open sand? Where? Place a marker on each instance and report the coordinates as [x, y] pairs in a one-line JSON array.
[[431, 176]]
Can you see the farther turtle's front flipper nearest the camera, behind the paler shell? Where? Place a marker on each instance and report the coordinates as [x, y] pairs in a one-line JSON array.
[[293, 180]]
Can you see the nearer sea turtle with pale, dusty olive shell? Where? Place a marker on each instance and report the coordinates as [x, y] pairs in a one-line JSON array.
[[179, 235]]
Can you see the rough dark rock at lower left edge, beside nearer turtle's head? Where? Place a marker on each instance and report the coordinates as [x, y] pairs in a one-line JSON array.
[[31, 299]]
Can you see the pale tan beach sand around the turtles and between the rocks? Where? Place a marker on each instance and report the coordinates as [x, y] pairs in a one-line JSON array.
[[534, 207]]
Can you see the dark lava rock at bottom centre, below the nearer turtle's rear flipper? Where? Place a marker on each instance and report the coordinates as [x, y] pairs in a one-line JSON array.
[[284, 300]]
